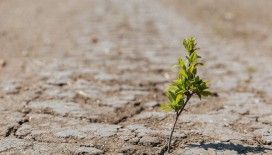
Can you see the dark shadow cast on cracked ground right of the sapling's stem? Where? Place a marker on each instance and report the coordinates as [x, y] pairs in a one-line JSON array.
[[240, 149]]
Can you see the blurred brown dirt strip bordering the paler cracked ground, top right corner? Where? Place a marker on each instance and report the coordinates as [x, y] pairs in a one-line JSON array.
[[246, 21]]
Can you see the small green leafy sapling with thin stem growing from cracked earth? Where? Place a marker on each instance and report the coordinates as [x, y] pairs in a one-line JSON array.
[[187, 84]]
